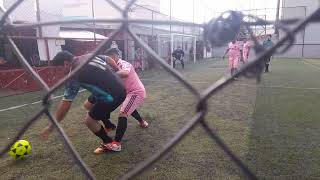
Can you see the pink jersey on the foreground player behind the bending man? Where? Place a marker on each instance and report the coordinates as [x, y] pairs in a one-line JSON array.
[[132, 82]]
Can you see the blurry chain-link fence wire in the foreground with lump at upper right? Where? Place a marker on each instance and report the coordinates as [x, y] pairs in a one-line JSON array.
[[216, 33]]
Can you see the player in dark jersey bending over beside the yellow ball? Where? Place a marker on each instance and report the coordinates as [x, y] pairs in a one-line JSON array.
[[100, 81]]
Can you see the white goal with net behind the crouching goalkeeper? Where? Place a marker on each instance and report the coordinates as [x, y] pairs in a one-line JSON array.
[[169, 41]]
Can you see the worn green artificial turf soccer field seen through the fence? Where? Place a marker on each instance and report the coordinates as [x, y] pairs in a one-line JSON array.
[[273, 127]]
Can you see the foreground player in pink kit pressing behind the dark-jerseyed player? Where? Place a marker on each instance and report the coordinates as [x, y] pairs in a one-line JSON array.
[[136, 94]]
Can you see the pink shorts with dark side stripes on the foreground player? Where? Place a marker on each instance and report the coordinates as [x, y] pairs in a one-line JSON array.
[[131, 103]]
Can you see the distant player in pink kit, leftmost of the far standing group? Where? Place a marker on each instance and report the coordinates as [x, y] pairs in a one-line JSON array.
[[234, 56]]
